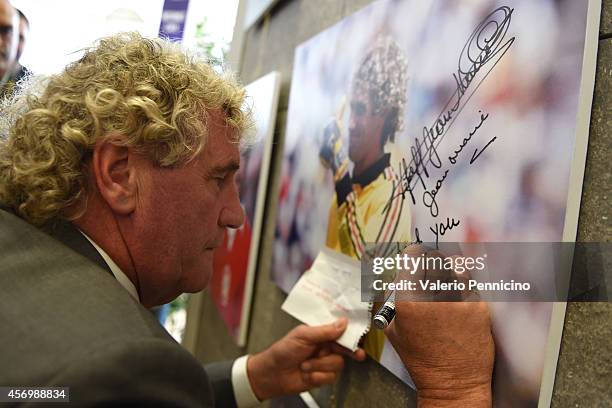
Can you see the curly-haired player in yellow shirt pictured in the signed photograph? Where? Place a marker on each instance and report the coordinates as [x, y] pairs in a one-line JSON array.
[[367, 206]]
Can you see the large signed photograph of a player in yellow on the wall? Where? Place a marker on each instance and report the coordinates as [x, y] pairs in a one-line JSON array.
[[437, 121]]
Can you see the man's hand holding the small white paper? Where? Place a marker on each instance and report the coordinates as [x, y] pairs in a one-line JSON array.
[[305, 358]]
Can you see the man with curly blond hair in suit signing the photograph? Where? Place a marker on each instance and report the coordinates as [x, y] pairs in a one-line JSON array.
[[117, 183]]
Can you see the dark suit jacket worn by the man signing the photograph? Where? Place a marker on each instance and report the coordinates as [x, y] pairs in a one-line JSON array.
[[66, 321]]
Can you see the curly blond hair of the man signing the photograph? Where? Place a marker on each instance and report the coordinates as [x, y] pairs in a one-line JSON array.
[[149, 91]]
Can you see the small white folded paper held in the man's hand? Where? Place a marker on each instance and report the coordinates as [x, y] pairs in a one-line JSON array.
[[329, 290]]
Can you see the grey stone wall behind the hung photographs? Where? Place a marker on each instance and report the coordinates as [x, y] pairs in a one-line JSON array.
[[584, 369]]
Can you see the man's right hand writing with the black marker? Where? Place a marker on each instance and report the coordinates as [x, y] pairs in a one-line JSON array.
[[448, 349]]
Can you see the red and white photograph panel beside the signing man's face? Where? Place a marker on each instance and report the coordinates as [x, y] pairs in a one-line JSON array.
[[234, 263]]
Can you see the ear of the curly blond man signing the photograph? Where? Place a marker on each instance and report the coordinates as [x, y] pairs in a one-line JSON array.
[[114, 170]]
